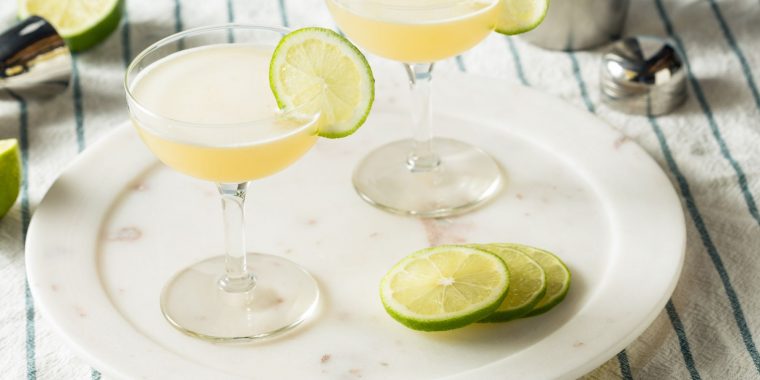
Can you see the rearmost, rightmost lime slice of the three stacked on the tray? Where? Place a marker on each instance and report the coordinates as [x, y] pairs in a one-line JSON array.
[[557, 276]]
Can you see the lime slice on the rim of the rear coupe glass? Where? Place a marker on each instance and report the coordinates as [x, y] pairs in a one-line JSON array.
[[520, 16]]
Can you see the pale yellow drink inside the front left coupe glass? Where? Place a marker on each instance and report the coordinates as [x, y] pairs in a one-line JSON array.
[[213, 116]]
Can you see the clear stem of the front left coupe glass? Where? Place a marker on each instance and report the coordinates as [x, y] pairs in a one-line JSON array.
[[237, 278]]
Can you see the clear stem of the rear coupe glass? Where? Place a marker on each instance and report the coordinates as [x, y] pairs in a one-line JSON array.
[[423, 157]]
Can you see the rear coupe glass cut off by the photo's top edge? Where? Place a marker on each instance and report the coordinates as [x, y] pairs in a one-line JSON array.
[[423, 176]]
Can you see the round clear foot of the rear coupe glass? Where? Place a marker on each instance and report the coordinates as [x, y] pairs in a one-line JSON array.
[[465, 179]]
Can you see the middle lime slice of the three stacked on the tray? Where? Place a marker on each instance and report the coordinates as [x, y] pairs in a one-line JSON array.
[[527, 284]]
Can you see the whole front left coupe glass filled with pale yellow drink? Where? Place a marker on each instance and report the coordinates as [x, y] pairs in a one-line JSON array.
[[238, 295]]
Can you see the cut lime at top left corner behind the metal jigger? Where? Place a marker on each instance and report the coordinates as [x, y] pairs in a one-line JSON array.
[[82, 23]]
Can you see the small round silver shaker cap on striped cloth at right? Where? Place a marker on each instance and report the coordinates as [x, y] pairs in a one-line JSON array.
[[643, 75]]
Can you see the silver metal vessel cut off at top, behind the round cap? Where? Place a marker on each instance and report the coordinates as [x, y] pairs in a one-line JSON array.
[[579, 24]]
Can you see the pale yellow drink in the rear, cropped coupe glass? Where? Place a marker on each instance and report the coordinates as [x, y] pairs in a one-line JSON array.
[[416, 31]]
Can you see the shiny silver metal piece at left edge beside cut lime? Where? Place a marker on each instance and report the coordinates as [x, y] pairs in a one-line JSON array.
[[34, 61]]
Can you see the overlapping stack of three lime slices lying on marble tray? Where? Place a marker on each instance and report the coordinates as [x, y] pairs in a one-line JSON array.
[[448, 287]]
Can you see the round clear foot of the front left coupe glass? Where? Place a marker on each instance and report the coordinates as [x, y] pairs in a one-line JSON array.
[[284, 296]]
